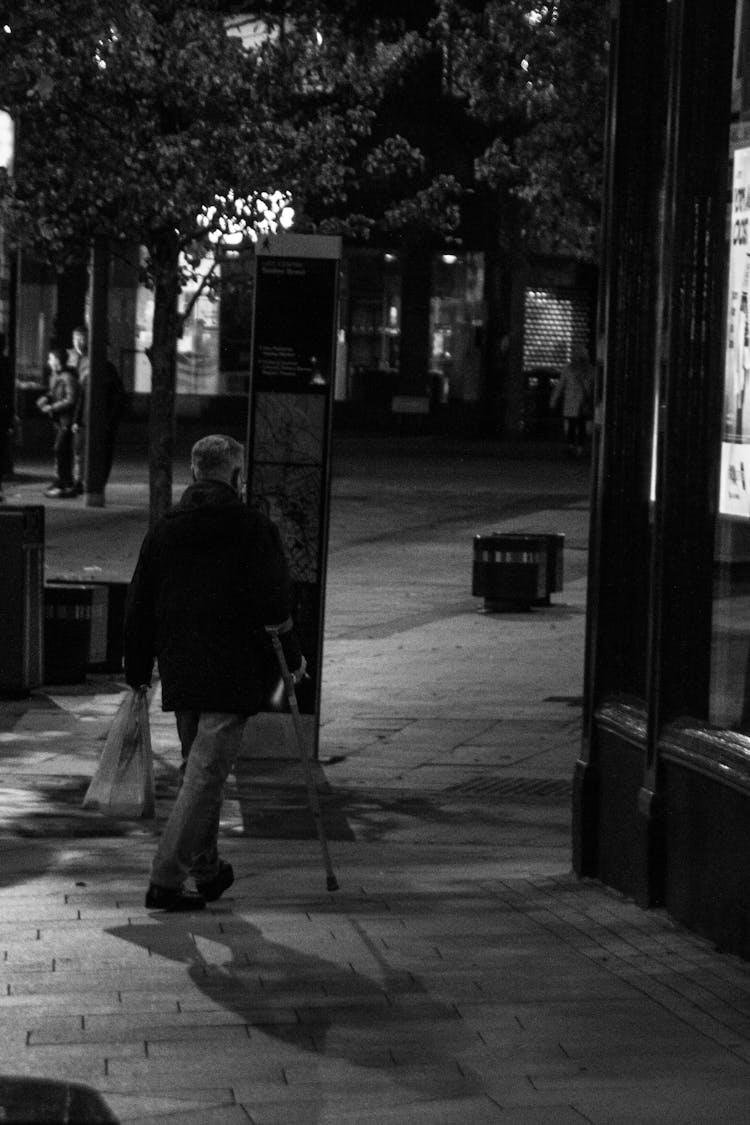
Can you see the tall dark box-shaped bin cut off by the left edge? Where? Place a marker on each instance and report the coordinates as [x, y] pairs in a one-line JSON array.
[[22, 600]]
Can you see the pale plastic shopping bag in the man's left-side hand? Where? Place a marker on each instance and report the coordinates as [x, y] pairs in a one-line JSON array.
[[123, 785]]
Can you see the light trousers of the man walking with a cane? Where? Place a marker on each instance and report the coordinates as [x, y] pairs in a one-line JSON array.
[[189, 844]]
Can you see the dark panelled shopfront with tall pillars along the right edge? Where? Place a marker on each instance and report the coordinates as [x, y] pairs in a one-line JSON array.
[[663, 786]]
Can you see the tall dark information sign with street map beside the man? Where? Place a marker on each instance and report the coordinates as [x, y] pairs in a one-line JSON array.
[[293, 377]]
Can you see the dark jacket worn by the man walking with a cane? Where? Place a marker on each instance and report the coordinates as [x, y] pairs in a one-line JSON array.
[[211, 575]]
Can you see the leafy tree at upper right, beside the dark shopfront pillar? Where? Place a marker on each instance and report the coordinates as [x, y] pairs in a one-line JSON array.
[[534, 77]]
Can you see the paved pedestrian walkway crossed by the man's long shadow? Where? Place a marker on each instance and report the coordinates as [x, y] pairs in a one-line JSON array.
[[462, 974]]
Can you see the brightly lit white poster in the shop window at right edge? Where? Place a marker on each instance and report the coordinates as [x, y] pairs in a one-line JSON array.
[[735, 496]]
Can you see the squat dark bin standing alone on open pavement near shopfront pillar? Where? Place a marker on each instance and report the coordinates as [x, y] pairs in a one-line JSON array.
[[517, 570]]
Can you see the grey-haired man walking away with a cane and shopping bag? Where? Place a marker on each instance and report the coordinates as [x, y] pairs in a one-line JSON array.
[[212, 577]]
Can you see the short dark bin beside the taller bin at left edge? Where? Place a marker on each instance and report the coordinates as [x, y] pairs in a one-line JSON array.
[[75, 631]]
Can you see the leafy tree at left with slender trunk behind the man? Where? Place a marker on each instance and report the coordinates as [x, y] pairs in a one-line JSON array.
[[148, 124]]
